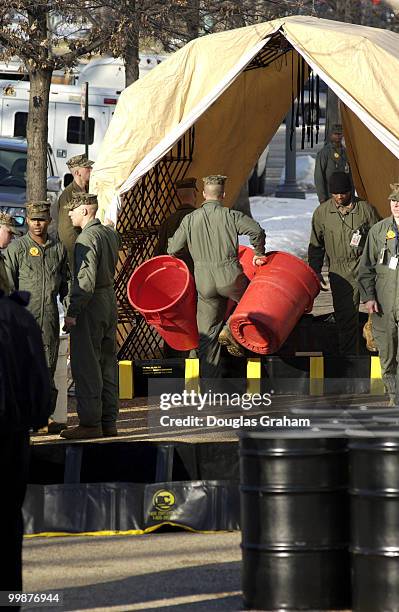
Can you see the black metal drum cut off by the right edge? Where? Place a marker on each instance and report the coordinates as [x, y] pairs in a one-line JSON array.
[[374, 491]]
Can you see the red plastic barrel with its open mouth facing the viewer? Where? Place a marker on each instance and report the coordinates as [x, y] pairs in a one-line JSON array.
[[163, 291]]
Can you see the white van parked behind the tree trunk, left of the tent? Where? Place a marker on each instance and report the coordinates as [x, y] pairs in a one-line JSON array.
[[66, 127]]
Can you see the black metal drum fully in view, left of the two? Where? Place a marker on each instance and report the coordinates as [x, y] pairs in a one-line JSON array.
[[294, 520]]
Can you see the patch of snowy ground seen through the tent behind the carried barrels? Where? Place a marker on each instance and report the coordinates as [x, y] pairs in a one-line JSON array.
[[286, 221]]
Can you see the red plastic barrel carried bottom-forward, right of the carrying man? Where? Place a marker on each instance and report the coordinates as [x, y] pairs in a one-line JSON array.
[[282, 290]]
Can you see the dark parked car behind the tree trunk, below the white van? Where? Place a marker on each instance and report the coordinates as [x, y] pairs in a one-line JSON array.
[[13, 160]]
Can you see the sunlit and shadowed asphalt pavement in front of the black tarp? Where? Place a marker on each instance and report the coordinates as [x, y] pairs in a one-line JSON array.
[[175, 571]]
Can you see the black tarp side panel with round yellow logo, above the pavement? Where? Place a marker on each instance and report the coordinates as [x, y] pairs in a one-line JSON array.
[[129, 507]]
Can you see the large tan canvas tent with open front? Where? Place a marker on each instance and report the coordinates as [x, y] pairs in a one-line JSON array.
[[217, 85]]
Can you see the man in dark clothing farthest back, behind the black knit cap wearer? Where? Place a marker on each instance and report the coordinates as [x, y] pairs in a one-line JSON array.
[[331, 158]]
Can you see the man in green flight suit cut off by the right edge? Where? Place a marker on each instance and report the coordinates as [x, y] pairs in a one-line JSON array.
[[378, 282]]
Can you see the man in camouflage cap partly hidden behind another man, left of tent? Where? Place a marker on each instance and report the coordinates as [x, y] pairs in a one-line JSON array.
[[80, 168]]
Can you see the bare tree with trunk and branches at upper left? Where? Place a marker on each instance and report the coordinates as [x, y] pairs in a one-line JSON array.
[[46, 35]]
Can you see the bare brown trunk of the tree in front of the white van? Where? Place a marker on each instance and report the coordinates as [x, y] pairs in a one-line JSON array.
[[37, 134]]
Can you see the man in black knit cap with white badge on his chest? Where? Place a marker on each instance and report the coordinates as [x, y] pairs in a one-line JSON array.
[[339, 231]]
